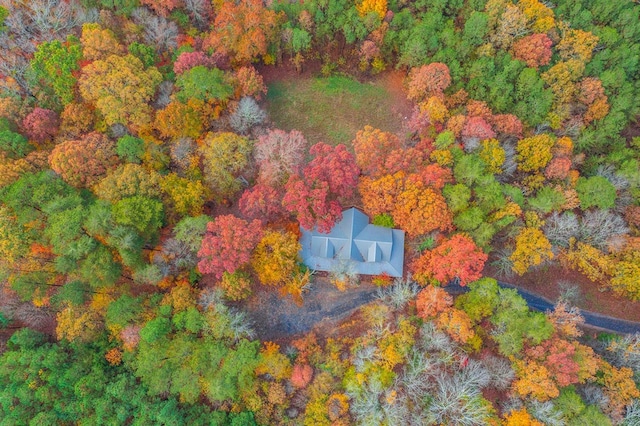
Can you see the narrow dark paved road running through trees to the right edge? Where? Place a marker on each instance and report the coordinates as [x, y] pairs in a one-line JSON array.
[[592, 319]]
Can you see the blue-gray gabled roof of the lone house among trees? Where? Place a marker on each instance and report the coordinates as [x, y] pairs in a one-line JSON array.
[[371, 249]]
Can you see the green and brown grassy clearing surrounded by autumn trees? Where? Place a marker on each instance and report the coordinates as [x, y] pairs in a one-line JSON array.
[[331, 109]]
